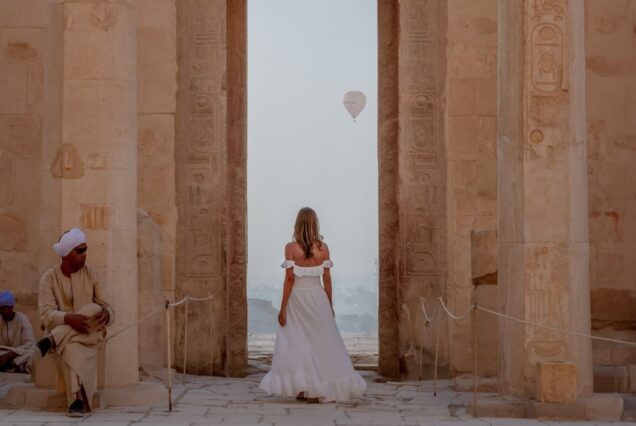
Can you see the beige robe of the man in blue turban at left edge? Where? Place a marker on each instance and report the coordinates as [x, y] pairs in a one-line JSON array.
[[18, 334]]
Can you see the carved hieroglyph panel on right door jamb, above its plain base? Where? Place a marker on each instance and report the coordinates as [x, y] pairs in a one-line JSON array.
[[420, 153]]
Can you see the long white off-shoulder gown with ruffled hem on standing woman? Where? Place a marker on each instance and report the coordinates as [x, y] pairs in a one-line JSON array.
[[309, 354]]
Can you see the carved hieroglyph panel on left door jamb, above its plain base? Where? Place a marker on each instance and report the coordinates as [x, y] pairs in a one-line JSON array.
[[201, 145]]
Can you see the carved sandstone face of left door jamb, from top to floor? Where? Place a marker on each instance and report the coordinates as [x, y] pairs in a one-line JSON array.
[[201, 165]]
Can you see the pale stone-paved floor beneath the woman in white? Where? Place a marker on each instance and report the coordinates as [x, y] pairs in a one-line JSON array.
[[214, 400]]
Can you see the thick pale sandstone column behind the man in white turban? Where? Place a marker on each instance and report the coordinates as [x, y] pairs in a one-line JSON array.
[[89, 158]]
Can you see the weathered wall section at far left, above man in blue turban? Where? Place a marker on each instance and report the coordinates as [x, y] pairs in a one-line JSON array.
[[23, 72]]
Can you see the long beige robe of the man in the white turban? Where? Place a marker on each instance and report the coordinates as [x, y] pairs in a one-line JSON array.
[[82, 293]]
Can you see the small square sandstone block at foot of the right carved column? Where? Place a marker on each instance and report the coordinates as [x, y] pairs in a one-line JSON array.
[[556, 382]]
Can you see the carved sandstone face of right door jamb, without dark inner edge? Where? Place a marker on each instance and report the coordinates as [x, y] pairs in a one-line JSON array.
[[420, 157]]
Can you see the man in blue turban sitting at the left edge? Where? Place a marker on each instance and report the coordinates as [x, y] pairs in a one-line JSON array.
[[15, 333]]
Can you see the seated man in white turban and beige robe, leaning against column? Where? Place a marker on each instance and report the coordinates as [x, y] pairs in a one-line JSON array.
[[75, 310]]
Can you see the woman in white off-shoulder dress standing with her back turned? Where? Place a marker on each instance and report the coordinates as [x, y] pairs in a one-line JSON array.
[[310, 360]]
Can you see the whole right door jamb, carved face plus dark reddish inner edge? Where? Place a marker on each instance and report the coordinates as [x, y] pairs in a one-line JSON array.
[[418, 184]]
